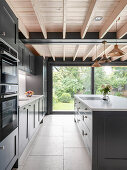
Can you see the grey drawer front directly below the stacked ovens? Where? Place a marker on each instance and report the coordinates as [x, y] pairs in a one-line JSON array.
[[9, 151]]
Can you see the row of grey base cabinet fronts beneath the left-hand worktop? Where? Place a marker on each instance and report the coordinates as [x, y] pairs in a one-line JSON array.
[[30, 116]]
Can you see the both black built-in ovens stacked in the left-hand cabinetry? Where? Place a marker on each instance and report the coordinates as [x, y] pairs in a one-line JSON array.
[[8, 89]]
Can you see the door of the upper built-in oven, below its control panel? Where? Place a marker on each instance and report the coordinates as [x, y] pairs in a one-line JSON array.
[[8, 71]]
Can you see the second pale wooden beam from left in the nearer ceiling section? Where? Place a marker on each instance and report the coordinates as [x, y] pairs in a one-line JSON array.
[[36, 7]]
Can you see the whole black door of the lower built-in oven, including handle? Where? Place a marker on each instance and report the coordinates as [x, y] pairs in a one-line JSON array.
[[8, 115]]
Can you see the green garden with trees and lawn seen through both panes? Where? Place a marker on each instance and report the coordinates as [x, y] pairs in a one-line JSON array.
[[71, 80]]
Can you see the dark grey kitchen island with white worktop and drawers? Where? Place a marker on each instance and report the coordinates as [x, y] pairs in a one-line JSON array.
[[103, 127]]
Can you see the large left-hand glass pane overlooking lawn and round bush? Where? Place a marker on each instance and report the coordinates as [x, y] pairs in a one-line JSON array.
[[67, 81]]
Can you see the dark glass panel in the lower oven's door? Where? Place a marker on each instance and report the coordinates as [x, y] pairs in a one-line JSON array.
[[9, 111]]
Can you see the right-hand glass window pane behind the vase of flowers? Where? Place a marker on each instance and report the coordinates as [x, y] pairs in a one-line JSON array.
[[115, 76]]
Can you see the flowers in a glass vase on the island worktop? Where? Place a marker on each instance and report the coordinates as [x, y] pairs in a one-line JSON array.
[[105, 89]]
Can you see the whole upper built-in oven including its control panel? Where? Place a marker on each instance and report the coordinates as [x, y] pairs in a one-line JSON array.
[[8, 64]]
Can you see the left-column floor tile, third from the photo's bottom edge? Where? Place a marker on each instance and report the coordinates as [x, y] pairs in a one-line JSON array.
[[51, 131]]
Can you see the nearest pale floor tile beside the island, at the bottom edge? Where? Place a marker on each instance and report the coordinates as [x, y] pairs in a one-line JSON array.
[[76, 159]]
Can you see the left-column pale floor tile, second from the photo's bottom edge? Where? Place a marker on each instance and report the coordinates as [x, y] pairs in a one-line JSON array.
[[48, 146]]
